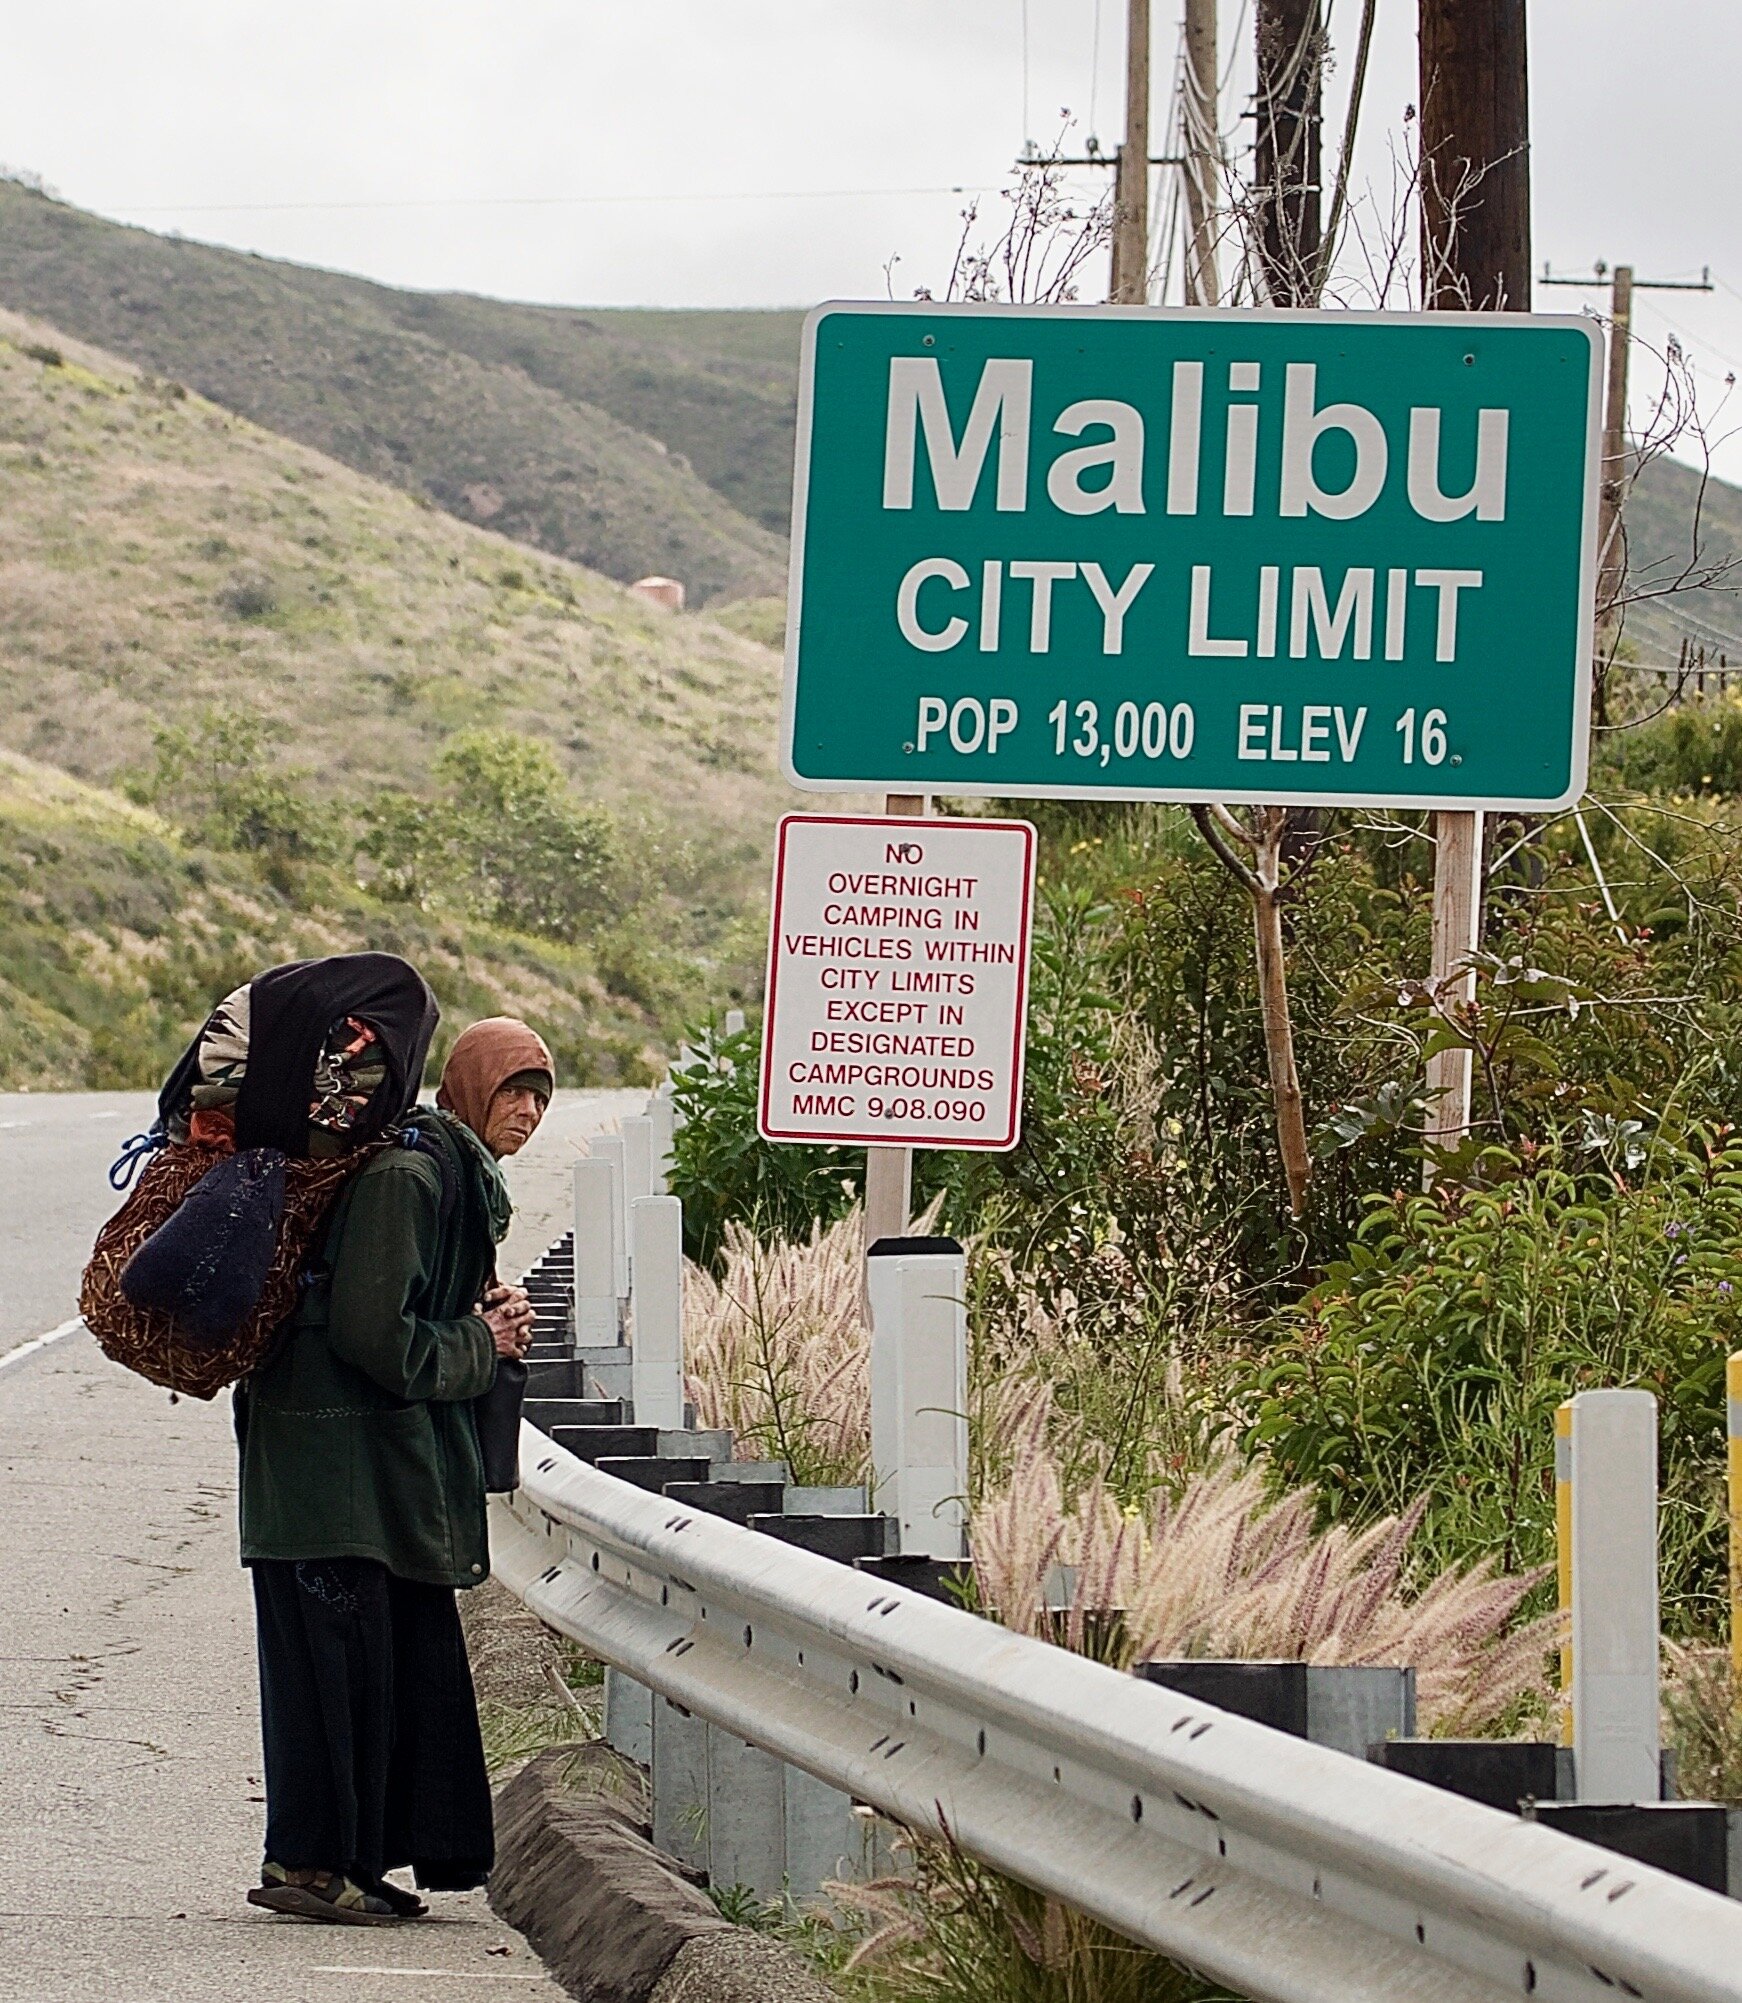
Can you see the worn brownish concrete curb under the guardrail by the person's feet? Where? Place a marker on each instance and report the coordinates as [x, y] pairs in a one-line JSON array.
[[614, 1918]]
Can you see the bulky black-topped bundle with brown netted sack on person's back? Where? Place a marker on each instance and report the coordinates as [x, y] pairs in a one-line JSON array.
[[195, 1275]]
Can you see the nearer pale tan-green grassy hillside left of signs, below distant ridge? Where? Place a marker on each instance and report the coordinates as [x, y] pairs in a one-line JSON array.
[[169, 562]]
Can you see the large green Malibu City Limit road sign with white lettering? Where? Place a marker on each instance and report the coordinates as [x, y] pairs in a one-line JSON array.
[[1323, 558]]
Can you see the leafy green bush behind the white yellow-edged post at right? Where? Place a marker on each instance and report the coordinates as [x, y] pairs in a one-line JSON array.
[[1431, 1359]]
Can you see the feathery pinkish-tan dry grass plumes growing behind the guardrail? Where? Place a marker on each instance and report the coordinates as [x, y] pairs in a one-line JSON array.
[[1210, 1567]]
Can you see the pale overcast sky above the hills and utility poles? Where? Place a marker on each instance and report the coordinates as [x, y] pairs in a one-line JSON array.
[[712, 153]]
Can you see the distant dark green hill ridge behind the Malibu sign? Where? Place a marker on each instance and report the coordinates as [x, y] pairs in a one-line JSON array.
[[626, 440]]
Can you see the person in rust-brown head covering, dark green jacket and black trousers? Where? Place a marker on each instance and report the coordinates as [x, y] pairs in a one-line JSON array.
[[363, 1507]]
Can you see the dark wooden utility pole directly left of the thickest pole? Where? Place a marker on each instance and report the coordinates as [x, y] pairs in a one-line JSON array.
[[1286, 155]]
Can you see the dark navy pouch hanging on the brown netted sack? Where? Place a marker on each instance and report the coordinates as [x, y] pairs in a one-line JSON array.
[[207, 1263]]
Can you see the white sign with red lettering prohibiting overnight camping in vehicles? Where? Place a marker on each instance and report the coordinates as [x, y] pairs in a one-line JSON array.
[[898, 982]]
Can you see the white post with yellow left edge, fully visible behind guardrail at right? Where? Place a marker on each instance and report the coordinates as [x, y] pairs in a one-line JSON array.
[[1615, 1595]]
